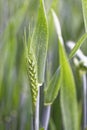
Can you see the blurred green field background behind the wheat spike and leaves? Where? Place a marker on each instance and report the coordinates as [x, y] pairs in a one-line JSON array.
[[15, 98]]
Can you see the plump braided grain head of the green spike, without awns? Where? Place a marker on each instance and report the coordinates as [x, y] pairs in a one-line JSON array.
[[32, 75]]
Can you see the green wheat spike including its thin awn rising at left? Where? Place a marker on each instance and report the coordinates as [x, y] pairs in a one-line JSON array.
[[31, 72]]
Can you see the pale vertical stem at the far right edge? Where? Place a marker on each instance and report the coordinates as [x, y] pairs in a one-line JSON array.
[[85, 100]]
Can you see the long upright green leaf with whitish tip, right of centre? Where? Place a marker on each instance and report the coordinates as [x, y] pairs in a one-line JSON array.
[[68, 92]]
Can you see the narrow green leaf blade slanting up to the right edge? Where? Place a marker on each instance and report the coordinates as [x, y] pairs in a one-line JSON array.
[[77, 45]]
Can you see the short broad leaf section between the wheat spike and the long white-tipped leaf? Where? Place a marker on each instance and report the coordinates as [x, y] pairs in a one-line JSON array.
[[52, 89]]
